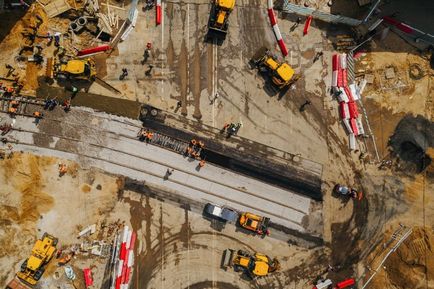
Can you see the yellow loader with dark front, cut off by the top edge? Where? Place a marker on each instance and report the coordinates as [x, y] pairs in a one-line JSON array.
[[219, 19]]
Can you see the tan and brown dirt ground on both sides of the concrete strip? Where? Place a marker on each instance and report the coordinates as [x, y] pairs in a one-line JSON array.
[[180, 249]]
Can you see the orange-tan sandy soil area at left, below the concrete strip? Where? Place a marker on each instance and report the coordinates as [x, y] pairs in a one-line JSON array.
[[34, 200]]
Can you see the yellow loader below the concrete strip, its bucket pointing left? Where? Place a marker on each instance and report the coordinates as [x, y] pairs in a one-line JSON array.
[[253, 265]]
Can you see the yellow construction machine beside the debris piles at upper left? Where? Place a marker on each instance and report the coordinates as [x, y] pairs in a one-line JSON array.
[[74, 69]]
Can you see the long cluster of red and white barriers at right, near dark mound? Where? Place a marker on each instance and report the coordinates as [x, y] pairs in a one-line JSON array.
[[347, 95]]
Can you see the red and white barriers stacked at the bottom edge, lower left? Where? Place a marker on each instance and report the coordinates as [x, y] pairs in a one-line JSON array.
[[123, 258]]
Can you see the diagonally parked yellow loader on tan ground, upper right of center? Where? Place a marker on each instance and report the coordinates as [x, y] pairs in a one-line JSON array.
[[281, 73]]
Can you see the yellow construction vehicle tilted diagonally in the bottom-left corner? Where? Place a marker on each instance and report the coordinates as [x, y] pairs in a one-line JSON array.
[[33, 268]]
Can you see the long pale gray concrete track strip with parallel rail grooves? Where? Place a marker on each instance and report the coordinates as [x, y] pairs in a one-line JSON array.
[[109, 143]]
